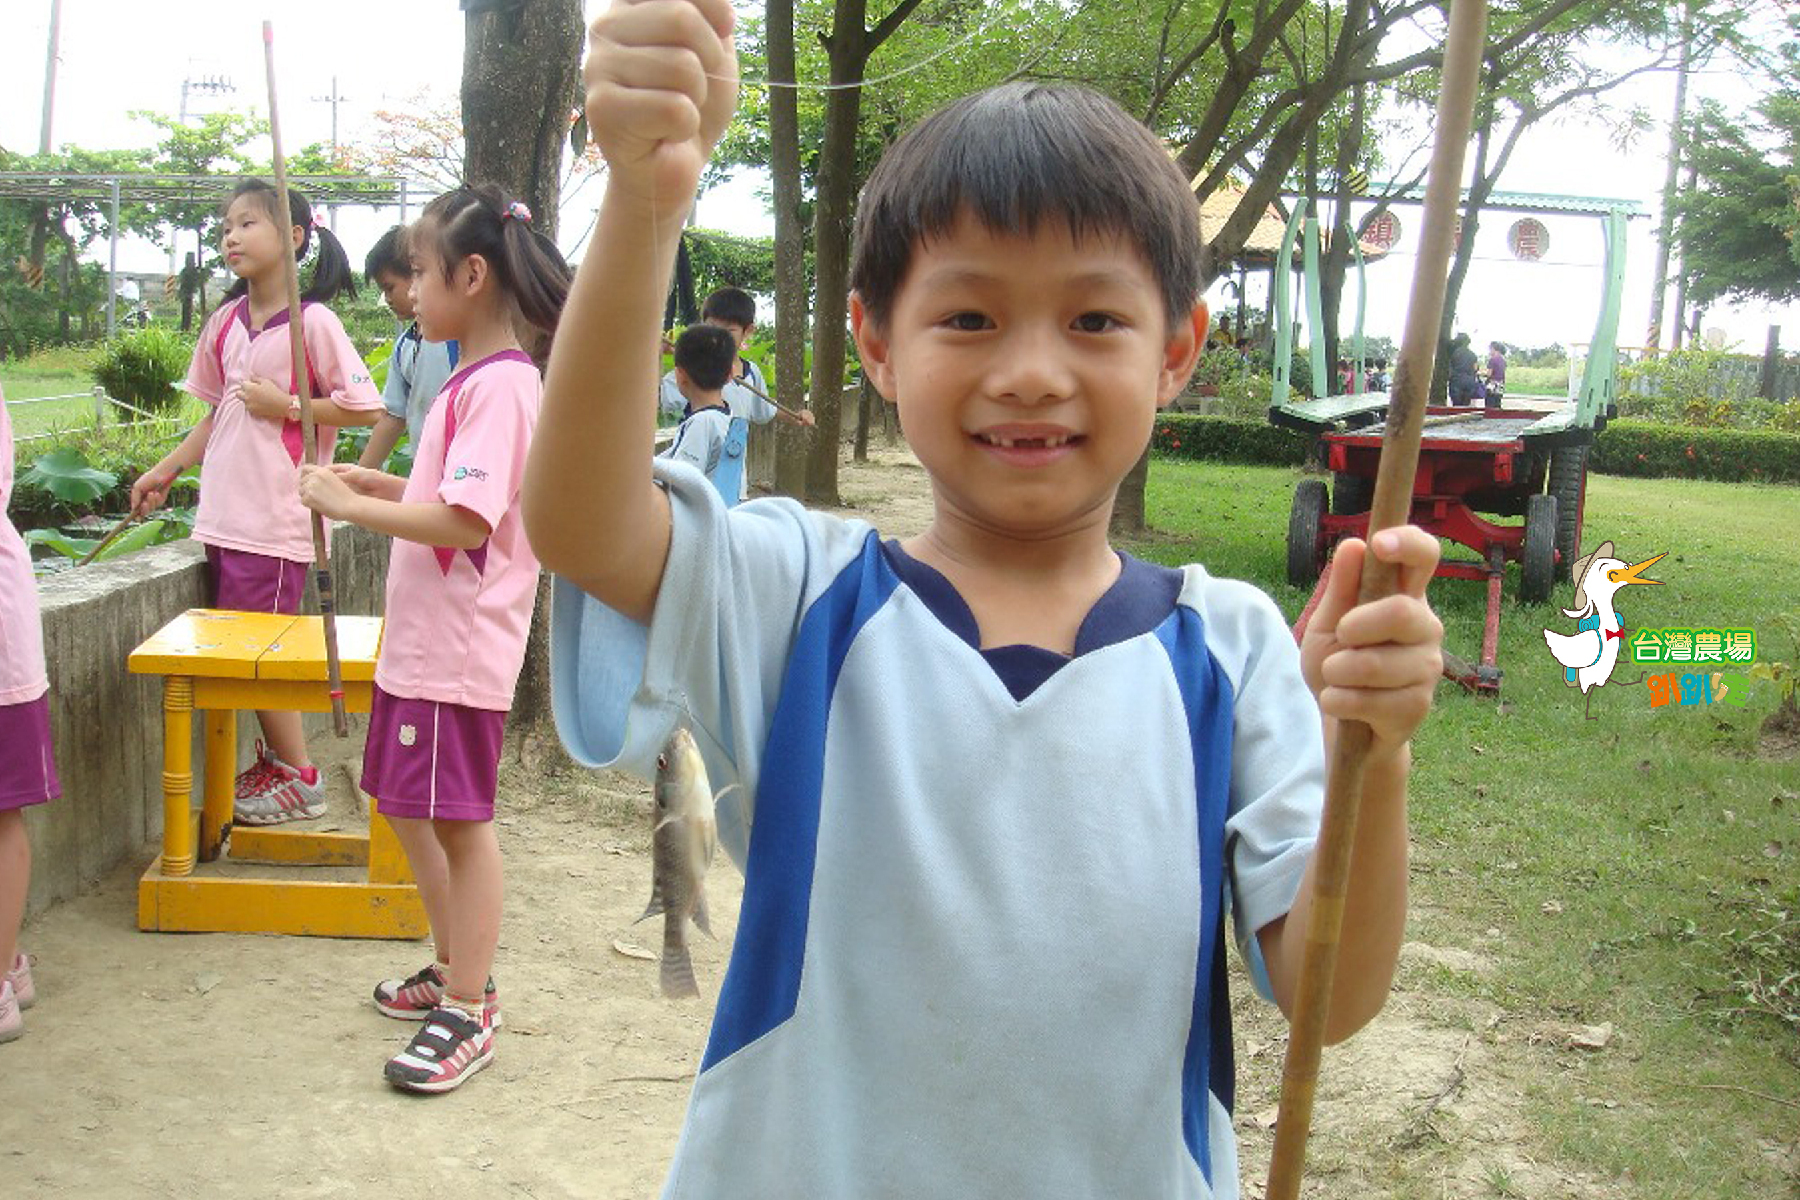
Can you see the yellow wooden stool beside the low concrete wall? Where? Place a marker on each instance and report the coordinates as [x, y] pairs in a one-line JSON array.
[[224, 661]]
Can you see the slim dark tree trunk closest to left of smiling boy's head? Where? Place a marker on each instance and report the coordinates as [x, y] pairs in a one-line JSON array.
[[847, 49]]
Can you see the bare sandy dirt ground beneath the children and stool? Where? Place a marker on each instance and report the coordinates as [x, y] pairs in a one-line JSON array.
[[211, 1066]]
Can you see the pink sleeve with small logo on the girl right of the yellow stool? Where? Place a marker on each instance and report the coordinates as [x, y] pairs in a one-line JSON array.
[[485, 461]]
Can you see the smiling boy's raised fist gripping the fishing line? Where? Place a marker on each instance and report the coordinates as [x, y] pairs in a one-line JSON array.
[[661, 87]]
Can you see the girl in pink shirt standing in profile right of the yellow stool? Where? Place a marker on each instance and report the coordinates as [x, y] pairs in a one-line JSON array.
[[462, 584]]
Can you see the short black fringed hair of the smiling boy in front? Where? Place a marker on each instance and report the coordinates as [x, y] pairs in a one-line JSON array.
[[1016, 157]]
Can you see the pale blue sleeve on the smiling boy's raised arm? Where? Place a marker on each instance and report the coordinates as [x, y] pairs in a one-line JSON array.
[[733, 595]]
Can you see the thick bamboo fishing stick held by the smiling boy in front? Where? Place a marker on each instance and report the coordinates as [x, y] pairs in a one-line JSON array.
[[1394, 503]]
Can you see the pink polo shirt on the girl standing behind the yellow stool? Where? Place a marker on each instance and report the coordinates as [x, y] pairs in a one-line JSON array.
[[247, 488]]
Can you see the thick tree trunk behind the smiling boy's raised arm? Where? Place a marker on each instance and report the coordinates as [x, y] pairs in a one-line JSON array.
[[519, 84]]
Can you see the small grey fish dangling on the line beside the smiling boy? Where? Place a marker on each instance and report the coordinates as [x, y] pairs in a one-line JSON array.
[[685, 836]]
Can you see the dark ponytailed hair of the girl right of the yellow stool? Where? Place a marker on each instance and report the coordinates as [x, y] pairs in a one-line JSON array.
[[480, 219]]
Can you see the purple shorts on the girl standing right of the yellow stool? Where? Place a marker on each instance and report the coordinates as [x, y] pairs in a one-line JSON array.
[[433, 760]]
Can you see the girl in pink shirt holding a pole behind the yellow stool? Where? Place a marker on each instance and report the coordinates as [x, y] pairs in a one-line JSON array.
[[258, 537]]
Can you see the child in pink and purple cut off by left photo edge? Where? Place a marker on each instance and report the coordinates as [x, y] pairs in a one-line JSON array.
[[28, 771]]
